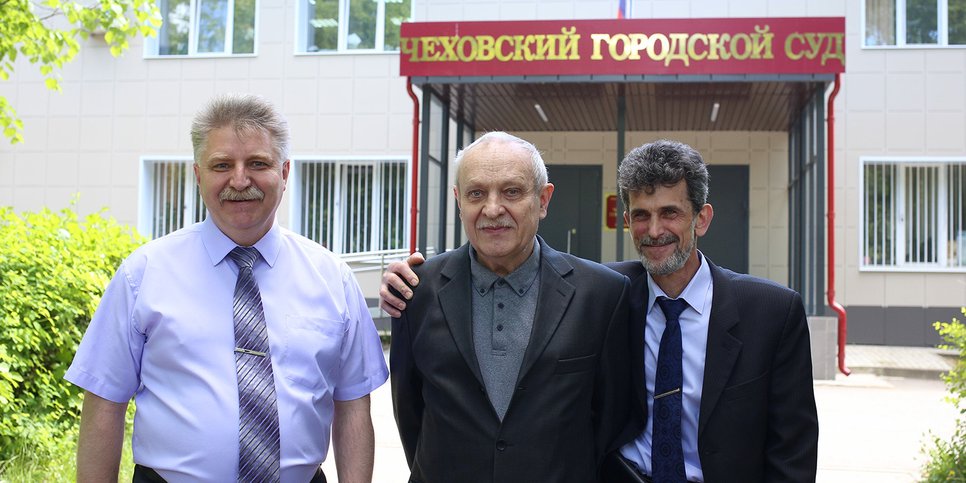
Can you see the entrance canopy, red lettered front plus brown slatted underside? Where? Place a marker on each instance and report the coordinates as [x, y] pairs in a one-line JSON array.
[[568, 75]]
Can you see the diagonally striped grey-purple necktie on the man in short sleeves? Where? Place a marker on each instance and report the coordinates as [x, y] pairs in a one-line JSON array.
[[258, 441]]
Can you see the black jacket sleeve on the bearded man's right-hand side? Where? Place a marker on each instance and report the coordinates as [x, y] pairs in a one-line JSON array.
[[791, 448]]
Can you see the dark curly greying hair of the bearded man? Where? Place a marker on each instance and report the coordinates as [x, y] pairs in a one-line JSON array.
[[664, 163]]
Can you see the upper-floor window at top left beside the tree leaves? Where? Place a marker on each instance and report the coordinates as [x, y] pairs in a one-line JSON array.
[[204, 28]]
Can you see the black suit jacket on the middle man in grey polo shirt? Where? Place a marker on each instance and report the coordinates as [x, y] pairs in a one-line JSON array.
[[571, 399]]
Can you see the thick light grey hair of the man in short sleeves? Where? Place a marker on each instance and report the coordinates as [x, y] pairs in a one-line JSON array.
[[245, 113]]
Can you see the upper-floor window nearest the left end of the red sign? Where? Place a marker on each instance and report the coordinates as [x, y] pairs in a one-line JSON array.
[[343, 25]]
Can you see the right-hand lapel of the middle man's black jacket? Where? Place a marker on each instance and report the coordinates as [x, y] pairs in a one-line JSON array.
[[552, 302]]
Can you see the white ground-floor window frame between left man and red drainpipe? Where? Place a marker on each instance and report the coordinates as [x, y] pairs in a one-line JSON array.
[[296, 200]]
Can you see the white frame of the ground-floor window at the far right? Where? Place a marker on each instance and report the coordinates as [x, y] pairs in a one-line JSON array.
[[942, 207]]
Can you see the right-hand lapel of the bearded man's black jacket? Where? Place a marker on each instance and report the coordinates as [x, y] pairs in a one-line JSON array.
[[723, 348]]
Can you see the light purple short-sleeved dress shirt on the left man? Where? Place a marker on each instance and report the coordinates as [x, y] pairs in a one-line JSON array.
[[164, 335]]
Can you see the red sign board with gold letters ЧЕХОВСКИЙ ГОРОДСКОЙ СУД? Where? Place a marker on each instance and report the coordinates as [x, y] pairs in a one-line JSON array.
[[809, 45]]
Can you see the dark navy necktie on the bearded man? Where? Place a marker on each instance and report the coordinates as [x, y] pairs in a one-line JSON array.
[[667, 457]]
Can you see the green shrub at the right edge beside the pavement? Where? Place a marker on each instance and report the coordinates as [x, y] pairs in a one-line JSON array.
[[947, 458]]
